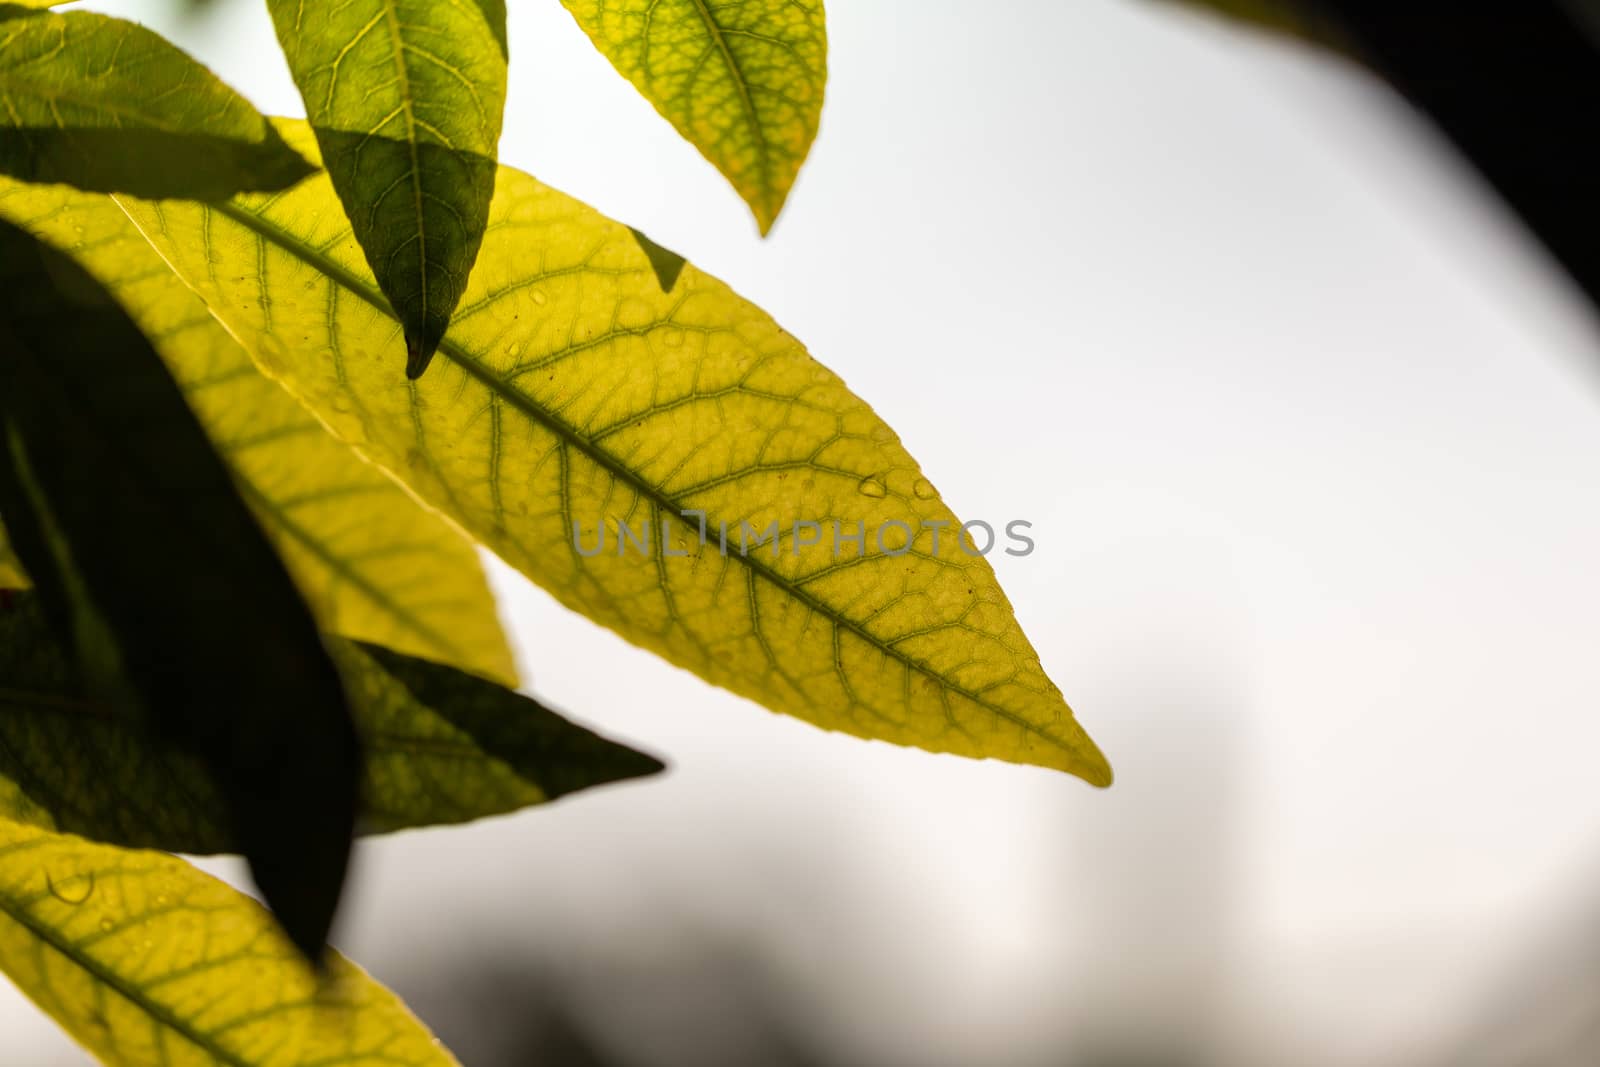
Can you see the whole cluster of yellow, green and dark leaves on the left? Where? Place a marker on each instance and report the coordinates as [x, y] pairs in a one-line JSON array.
[[244, 609]]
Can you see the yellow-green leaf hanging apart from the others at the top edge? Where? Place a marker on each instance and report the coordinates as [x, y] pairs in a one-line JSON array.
[[743, 82]]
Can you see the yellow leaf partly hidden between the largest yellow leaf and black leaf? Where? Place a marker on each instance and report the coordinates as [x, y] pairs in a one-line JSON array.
[[369, 559]]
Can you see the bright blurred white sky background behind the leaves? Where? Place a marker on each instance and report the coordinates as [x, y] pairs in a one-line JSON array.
[[1308, 434]]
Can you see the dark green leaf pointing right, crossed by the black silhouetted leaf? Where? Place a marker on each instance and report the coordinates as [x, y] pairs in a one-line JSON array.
[[441, 746]]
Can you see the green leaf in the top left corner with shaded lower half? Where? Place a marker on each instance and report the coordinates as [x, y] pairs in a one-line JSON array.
[[110, 106]]
